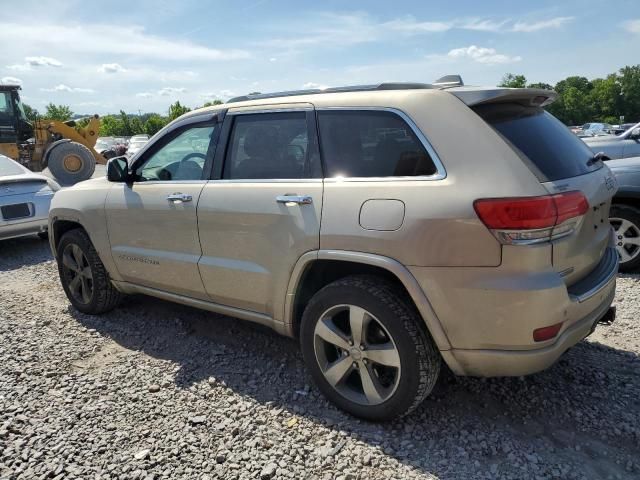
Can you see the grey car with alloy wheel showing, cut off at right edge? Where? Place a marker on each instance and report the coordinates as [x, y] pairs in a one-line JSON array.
[[625, 212]]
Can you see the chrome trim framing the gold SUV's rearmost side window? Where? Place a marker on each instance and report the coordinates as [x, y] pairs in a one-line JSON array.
[[441, 172]]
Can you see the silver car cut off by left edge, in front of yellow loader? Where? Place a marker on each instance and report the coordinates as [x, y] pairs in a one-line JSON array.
[[24, 200]]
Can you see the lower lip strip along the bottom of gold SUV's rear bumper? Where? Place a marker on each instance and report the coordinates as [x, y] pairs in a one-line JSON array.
[[505, 363]]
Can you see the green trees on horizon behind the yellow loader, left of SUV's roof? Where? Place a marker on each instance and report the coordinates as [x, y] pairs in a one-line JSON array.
[[117, 125]]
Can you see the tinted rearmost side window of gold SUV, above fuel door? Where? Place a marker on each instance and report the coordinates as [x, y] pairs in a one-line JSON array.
[[369, 143]]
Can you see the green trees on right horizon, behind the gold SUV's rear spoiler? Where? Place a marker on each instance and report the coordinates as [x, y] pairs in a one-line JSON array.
[[581, 100]]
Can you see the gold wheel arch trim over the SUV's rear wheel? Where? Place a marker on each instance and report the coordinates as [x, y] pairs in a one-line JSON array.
[[316, 269]]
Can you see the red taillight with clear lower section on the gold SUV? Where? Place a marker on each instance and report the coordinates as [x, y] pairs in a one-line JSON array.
[[514, 219]]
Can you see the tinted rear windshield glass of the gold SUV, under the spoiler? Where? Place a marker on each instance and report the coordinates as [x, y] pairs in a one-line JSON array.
[[546, 144]]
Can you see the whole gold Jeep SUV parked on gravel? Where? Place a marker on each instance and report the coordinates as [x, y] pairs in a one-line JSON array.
[[389, 228]]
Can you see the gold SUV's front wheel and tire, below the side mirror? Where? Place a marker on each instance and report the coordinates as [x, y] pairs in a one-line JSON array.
[[83, 276]]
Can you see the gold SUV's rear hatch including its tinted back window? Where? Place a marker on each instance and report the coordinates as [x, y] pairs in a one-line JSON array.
[[562, 163]]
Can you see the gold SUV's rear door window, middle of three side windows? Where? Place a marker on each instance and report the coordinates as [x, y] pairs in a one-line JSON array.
[[268, 146]]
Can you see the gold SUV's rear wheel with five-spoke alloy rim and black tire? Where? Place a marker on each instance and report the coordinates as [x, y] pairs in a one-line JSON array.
[[367, 349]]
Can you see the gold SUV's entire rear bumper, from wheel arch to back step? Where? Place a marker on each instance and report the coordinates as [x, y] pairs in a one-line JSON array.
[[489, 314]]
